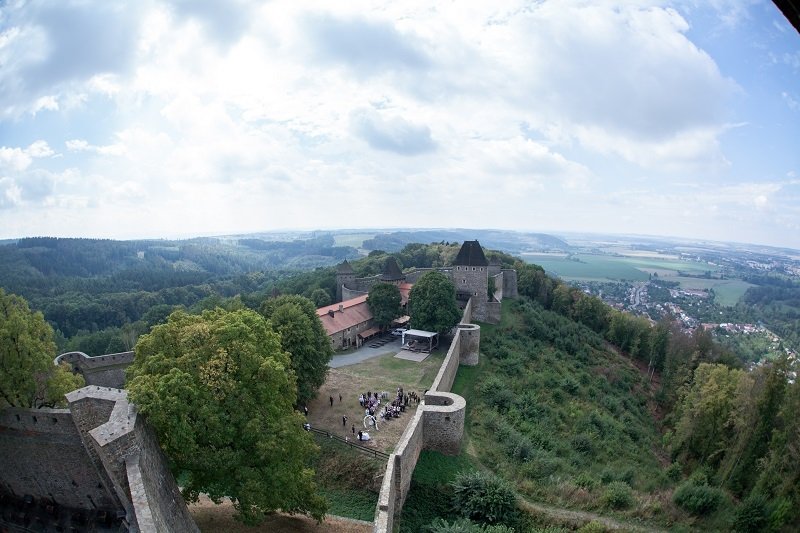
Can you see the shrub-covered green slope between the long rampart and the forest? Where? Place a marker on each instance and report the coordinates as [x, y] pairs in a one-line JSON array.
[[562, 415]]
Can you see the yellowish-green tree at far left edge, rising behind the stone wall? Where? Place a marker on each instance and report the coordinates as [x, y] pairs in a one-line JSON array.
[[28, 377]]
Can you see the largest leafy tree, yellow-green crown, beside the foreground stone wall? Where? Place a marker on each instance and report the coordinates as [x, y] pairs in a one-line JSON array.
[[219, 390]]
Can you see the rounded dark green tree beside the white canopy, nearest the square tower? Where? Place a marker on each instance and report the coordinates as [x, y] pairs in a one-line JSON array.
[[433, 303]]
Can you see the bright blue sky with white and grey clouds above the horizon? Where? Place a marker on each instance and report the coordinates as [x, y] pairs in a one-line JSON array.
[[183, 118]]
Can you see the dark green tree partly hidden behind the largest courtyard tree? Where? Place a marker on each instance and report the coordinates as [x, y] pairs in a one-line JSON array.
[[304, 338]]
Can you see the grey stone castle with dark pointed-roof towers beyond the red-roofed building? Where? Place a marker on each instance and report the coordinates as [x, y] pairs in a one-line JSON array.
[[470, 274]]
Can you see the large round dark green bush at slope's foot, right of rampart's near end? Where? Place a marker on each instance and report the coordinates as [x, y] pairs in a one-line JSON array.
[[484, 497]]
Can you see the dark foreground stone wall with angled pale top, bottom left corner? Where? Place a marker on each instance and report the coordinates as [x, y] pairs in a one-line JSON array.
[[97, 458]]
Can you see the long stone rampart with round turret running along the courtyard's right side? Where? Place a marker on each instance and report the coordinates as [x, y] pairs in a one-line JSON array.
[[437, 425]]
